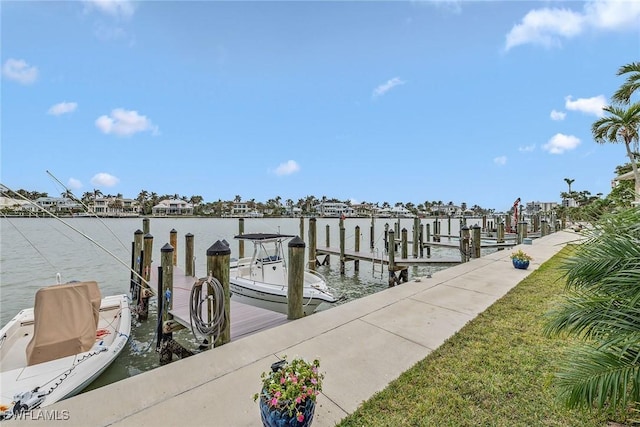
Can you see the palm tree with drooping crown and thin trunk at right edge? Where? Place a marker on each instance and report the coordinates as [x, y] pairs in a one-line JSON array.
[[621, 125]]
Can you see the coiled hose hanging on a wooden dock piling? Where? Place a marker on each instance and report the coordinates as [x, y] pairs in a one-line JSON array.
[[200, 297]]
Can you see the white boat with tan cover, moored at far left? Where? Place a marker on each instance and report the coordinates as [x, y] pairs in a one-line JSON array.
[[57, 348]]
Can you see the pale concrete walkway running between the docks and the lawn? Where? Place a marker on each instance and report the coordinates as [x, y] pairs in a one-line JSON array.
[[362, 346]]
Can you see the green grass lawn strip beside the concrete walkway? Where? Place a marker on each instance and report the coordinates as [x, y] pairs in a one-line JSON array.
[[496, 371]]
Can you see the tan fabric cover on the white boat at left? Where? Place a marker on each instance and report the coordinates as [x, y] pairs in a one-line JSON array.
[[66, 319]]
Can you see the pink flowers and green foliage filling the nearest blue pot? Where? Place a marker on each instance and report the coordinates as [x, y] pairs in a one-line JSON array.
[[290, 384]]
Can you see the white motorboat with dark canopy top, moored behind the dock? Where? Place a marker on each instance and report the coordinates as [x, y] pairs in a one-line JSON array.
[[261, 280]]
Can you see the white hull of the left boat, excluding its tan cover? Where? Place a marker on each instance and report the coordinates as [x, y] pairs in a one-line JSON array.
[[61, 378]]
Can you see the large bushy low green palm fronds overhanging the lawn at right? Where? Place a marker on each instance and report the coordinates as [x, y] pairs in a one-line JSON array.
[[601, 309]]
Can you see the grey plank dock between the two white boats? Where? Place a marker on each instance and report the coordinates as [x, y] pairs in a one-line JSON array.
[[245, 319]]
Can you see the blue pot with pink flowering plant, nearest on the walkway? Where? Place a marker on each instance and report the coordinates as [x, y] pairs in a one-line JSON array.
[[288, 394]]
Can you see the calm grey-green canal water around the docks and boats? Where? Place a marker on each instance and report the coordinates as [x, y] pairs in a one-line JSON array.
[[34, 250]]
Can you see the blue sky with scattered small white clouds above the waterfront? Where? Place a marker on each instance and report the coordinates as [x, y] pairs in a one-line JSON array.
[[479, 102]]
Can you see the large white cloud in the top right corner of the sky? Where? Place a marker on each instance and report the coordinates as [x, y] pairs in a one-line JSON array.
[[548, 27]]
